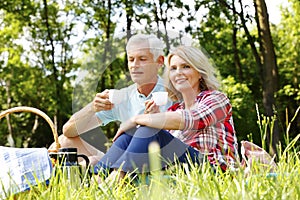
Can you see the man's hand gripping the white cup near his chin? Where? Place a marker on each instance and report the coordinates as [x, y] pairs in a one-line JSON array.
[[101, 101]]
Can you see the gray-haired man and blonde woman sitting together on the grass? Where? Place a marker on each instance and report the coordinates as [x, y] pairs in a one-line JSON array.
[[199, 124]]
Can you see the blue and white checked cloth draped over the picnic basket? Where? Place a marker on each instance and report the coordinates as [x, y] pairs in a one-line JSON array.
[[22, 168]]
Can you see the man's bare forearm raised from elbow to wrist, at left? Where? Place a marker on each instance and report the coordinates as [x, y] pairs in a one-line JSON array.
[[82, 121]]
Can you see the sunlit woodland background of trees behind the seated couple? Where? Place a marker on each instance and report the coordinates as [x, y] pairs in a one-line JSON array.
[[56, 55]]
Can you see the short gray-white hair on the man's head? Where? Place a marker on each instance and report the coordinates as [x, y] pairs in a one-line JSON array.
[[155, 45]]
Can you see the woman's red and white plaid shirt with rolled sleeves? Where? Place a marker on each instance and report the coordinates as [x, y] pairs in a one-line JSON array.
[[209, 128]]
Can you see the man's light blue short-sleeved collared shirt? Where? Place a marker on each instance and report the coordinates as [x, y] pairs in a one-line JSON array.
[[132, 104]]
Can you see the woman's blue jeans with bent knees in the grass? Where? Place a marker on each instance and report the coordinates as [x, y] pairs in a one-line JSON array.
[[130, 151]]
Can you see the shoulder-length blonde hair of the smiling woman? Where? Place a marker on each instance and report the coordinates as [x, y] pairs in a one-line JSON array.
[[200, 62]]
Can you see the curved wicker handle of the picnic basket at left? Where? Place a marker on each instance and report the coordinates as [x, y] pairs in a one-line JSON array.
[[38, 112]]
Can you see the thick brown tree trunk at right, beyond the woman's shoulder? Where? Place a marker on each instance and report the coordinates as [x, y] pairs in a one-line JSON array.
[[269, 69]]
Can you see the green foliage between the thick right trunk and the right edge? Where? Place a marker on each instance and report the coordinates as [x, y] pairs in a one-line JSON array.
[[287, 46]]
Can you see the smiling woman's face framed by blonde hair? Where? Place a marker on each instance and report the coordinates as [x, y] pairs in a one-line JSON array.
[[183, 76]]
